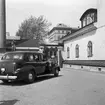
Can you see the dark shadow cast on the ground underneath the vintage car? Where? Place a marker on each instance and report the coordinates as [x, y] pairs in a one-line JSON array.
[[21, 83]]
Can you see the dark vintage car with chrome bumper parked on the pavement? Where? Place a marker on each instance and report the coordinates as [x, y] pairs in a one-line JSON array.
[[25, 65]]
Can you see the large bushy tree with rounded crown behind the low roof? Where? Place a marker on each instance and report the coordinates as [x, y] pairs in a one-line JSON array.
[[33, 28]]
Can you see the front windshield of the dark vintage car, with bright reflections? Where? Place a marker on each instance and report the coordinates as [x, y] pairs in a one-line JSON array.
[[12, 56]]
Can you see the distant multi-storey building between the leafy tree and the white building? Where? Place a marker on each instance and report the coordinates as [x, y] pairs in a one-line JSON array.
[[59, 31]]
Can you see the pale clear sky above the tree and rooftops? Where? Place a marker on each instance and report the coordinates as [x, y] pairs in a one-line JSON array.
[[55, 11]]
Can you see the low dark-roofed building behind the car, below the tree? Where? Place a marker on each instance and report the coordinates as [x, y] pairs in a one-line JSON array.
[[15, 43]]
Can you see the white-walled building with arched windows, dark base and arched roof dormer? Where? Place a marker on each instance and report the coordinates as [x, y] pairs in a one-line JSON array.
[[87, 45]]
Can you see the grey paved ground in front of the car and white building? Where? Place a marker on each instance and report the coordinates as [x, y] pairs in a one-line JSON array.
[[72, 87]]
